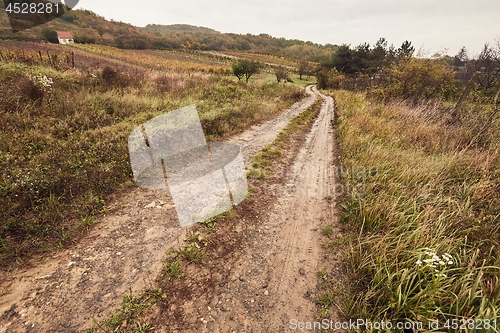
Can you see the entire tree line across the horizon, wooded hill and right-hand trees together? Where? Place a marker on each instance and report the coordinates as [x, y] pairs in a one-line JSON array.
[[387, 70]]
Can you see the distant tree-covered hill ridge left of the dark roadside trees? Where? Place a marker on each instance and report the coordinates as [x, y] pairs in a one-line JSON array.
[[92, 28]]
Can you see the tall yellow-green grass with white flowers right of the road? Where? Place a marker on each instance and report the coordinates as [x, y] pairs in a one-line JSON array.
[[423, 244]]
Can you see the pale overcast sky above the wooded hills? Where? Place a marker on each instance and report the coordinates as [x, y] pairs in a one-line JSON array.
[[433, 25]]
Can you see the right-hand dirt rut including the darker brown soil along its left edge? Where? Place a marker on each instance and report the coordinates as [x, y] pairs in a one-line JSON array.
[[271, 279]]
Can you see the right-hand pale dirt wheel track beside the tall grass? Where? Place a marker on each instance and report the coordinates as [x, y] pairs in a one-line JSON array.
[[275, 283]]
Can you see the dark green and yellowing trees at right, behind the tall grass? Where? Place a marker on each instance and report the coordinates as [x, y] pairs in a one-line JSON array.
[[388, 72]]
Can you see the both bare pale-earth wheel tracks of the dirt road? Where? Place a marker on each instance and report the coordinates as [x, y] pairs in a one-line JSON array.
[[123, 252]]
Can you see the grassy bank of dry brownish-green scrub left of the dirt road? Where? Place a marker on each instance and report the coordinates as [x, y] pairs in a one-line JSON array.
[[63, 140]]
